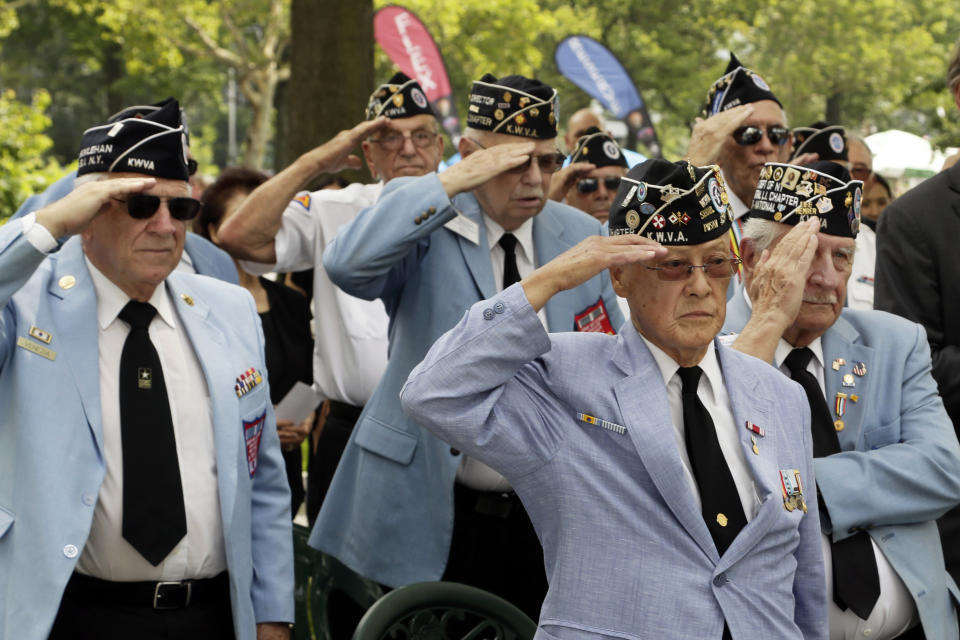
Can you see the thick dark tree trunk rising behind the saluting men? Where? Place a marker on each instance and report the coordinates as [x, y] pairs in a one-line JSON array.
[[331, 74]]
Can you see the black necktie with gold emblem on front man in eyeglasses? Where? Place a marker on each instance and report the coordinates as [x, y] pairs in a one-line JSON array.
[[719, 500]]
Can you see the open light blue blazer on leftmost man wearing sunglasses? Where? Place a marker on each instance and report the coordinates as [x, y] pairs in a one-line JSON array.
[[51, 456]]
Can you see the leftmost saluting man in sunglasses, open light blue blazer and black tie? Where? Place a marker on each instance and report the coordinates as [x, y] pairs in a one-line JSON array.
[[142, 491]]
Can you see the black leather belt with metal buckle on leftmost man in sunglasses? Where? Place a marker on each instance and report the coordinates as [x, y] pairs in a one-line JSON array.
[[156, 595]]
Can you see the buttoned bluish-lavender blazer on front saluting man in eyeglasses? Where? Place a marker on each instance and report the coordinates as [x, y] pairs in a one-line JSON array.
[[627, 552]]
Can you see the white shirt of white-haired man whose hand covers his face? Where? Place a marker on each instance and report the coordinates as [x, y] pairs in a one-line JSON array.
[[895, 611]]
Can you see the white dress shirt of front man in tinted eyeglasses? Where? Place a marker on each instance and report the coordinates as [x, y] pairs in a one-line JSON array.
[[712, 392]]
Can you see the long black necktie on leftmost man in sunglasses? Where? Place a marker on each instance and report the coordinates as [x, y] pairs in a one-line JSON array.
[[154, 520]]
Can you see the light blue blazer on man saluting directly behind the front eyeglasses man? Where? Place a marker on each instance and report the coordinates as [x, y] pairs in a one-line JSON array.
[[389, 510]]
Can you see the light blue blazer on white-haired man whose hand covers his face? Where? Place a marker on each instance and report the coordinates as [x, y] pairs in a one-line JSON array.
[[899, 468]]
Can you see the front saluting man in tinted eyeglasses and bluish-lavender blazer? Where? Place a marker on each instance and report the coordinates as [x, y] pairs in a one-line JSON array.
[[668, 477]]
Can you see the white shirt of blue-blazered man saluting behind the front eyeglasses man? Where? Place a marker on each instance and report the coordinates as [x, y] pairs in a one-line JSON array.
[[473, 473]]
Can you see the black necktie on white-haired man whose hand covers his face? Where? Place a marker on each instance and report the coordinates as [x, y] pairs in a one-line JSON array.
[[856, 583]]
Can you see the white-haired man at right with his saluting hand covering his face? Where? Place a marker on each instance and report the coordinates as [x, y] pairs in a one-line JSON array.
[[886, 459]]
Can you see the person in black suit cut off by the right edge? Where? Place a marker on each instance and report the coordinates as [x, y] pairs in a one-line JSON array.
[[916, 277]]
